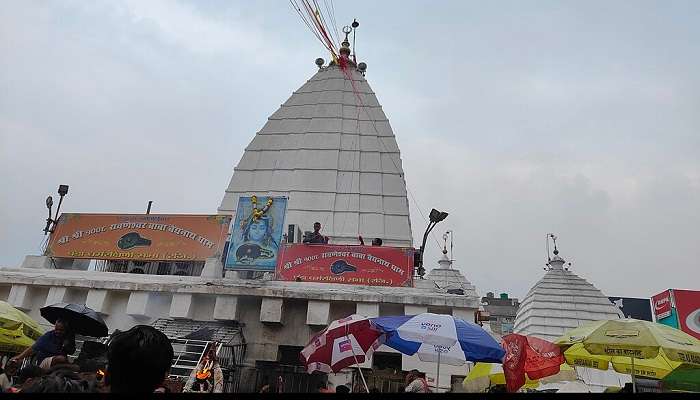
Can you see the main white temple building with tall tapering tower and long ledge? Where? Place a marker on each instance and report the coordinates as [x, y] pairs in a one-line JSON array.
[[330, 150]]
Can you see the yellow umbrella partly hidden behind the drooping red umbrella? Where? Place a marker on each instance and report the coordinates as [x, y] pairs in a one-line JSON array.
[[484, 375]]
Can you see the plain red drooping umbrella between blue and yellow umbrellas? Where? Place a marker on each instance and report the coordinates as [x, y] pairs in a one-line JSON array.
[[529, 355]]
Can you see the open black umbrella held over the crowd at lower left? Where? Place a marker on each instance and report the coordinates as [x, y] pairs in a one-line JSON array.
[[83, 320]]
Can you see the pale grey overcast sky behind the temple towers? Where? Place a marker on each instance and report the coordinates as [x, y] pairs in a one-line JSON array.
[[519, 118]]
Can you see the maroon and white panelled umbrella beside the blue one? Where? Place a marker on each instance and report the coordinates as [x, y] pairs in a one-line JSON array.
[[347, 341]]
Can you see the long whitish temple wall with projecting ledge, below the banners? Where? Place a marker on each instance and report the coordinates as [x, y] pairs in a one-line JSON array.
[[273, 313]]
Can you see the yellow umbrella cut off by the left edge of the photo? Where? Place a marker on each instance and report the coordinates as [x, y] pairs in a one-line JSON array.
[[17, 330]]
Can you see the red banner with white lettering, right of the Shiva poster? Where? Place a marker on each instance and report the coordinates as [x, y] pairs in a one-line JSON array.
[[354, 265]]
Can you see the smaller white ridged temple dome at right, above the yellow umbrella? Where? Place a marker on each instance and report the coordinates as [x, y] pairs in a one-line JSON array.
[[560, 301]]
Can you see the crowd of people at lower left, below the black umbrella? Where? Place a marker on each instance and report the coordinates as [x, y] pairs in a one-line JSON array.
[[137, 361]]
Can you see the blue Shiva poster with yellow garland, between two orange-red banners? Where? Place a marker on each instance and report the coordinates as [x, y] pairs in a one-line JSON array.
[[256, 233]]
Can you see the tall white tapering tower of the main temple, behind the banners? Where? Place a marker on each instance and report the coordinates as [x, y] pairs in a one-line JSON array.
[[331, 150]]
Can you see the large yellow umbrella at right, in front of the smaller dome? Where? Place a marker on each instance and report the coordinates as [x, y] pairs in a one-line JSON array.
[[660, 346]]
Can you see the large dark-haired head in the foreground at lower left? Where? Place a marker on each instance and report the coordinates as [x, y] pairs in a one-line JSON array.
[[138, 360]]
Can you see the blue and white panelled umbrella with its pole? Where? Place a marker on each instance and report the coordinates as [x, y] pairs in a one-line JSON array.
[[439, 338]]
